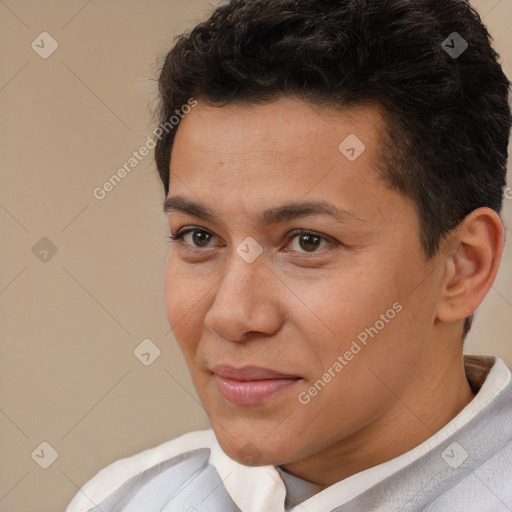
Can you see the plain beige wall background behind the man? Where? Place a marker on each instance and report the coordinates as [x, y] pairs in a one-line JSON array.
[[69, 325]]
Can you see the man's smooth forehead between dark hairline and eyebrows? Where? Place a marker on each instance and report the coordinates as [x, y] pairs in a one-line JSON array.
[[247, 155]]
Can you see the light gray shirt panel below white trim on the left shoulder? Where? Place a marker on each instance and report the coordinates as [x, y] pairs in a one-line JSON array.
[[185, 483]]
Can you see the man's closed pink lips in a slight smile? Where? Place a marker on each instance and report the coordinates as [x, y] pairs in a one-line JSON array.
[[250, 385]]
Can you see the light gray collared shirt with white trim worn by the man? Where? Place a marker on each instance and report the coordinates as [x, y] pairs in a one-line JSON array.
[[464, 467]]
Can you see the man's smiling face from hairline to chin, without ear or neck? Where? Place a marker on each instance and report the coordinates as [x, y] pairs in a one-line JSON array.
[[300, 297]]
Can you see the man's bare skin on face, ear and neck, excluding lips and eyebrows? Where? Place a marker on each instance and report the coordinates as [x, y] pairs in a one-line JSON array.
[[295, 310]]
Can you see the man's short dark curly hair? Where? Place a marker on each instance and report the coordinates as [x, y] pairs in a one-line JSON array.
[[448, 116]]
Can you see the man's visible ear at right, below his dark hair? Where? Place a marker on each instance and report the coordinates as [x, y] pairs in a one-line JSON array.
[[473, 254]]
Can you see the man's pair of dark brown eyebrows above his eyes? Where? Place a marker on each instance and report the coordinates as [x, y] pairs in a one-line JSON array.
[[271, 216]]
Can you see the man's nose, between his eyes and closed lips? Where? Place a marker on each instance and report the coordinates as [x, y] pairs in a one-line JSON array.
[[246, 302]]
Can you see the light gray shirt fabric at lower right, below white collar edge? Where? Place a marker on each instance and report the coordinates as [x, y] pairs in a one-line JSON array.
[[481, 483]]
